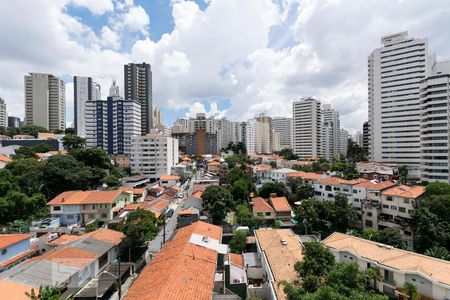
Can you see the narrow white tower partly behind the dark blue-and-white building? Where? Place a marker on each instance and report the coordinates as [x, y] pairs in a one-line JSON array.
[[84, 89]]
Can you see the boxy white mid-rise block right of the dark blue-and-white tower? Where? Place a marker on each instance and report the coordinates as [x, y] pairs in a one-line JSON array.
[[154, 154]]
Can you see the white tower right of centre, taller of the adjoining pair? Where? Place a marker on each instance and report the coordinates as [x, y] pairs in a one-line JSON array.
[[306, 128]]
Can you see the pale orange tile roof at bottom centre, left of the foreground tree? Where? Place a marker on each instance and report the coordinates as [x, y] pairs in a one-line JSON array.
[[281, 258]]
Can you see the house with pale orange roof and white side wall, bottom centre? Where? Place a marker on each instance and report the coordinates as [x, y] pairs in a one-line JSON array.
[[279, 251]]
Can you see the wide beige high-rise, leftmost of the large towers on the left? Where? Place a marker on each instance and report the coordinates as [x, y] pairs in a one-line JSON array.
[[45, 101]]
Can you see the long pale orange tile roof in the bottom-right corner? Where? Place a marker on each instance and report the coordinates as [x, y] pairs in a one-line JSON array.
[[435, 269]]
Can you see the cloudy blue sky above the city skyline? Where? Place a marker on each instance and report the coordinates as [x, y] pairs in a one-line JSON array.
[[232, 58]]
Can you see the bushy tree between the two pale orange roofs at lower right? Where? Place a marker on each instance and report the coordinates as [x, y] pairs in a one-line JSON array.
[[317, 260]]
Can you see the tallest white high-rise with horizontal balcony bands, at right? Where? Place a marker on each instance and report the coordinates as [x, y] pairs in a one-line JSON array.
[[395, 72]]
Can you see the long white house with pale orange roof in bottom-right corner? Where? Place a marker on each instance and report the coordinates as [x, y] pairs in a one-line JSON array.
[[428, 274]]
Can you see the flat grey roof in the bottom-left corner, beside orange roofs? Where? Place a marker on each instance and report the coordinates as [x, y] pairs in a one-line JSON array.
[[39, 272]]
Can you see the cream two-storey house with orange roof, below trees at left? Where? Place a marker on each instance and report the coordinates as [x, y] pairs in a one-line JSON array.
[[82, 207]]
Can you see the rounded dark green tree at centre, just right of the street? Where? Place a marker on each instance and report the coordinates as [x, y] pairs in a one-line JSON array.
[[218, 201]]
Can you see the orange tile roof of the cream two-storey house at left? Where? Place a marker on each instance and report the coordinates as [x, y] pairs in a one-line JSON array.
[[86, 197]]
